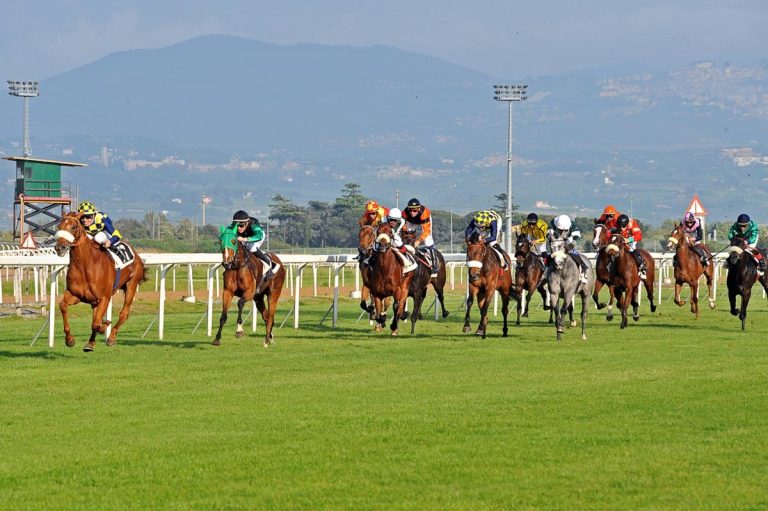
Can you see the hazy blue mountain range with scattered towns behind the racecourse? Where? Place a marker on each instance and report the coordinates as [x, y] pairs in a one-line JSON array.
[[308, 118]]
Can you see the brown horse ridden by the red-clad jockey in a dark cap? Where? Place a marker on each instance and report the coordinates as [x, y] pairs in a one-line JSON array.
[[625, 277]]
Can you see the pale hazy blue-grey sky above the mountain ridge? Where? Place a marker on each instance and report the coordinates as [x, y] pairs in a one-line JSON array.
[[507, 39]]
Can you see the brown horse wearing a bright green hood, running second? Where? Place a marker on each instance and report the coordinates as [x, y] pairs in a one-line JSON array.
[[244, 278]]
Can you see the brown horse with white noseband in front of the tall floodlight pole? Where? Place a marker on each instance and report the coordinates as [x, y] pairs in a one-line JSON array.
[[485, 278]]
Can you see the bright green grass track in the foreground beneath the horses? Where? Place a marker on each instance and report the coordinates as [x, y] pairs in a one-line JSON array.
[[668, 414]]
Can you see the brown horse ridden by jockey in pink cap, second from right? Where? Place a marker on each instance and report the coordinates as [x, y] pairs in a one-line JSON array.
[[689, 268]]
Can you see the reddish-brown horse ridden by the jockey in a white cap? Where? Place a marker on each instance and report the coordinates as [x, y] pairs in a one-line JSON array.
[[387, 279]]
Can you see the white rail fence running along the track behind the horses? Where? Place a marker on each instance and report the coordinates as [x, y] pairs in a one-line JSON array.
[[43, 268]]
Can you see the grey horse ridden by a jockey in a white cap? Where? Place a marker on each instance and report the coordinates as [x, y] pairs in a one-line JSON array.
[[563, 281]]
